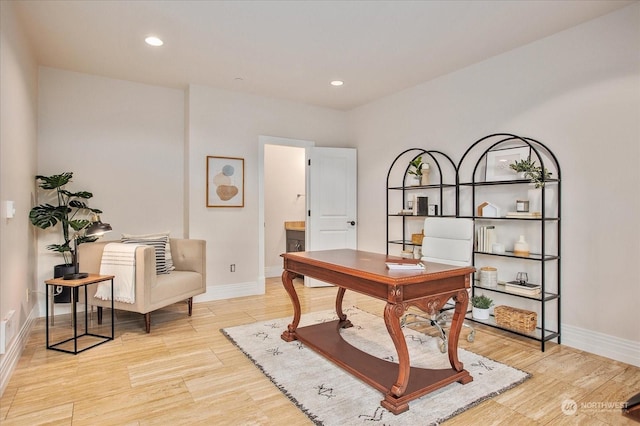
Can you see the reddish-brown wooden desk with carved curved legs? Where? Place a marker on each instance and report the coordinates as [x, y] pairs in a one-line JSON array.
[[367, 273]]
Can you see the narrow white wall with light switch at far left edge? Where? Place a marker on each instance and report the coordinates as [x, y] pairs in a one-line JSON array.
[[18, 146]]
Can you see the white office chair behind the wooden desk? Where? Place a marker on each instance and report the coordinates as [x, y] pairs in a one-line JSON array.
[[446, 240]]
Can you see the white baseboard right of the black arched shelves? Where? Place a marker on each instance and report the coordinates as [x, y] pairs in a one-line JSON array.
[[602, 344]]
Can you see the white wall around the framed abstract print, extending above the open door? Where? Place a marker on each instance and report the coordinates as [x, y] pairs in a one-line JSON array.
[[228, 124]]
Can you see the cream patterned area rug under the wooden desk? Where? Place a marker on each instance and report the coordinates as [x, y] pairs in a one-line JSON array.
[[329, 395]]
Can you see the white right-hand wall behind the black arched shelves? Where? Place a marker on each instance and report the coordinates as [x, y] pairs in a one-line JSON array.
[[579, 93]]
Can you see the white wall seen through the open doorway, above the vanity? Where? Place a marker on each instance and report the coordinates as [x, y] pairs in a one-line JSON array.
[[285, 199]]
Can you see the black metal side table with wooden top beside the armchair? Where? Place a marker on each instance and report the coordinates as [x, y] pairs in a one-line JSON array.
[[75, 285]]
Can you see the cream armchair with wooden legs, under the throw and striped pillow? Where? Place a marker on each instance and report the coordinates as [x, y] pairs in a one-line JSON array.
[[153, 291]]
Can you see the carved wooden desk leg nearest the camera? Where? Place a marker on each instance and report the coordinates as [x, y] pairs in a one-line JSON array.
[[392, 314]]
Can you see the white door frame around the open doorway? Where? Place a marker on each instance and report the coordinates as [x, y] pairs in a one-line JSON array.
[[273, 140]]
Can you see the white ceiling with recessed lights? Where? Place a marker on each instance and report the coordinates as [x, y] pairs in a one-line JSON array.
[[291, 49]]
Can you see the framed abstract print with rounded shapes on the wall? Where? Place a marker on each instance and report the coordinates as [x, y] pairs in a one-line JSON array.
[[225, 181]]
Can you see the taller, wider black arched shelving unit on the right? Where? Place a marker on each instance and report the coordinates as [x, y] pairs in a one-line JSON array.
[[475, 185]]
